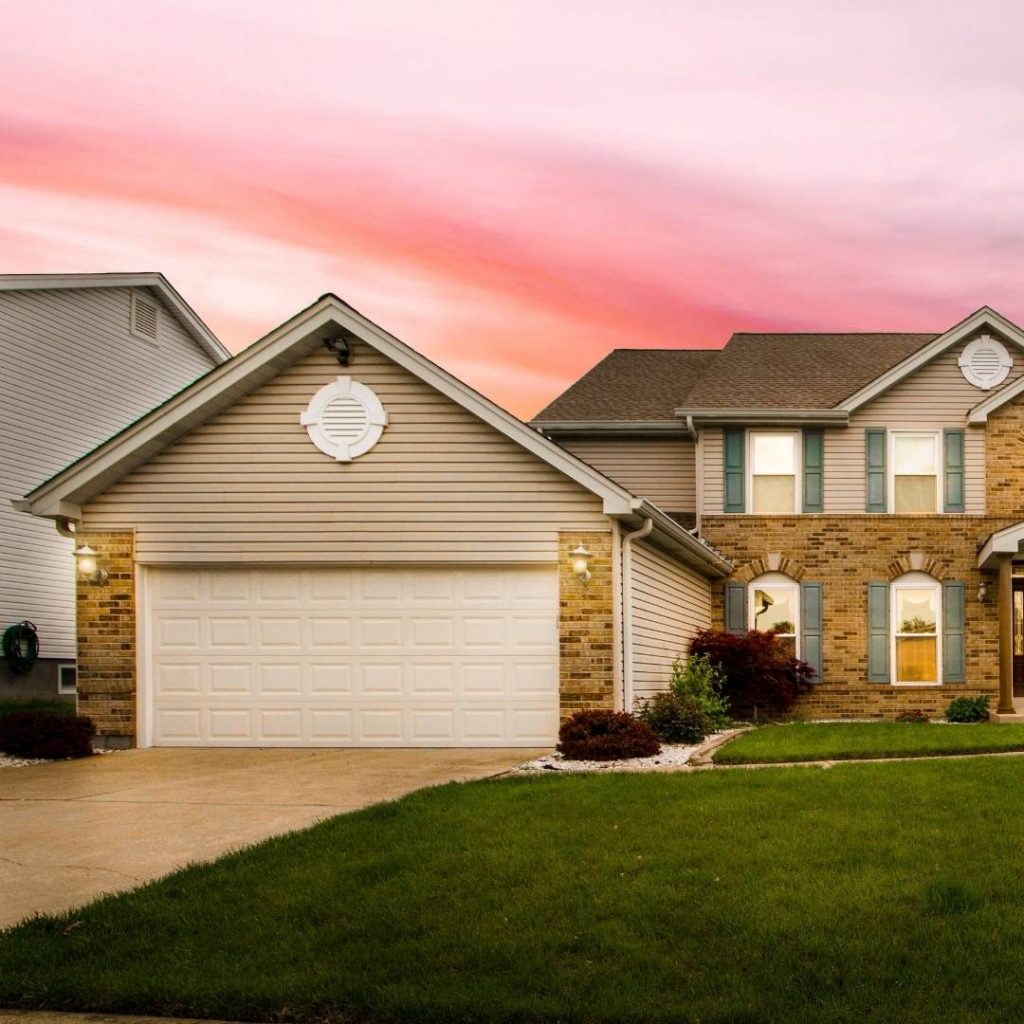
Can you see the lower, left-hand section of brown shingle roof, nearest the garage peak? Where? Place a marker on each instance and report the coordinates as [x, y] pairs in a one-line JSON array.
[[631, 385]]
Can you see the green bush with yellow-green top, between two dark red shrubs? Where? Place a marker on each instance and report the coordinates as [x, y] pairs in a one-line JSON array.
[[693, 707]]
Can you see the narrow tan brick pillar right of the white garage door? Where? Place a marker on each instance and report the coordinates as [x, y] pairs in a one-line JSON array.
[[586, 630]]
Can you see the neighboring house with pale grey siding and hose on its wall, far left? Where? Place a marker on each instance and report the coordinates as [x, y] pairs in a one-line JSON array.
[[83, 356]]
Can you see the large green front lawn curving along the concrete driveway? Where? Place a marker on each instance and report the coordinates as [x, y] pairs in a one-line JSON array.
[[888, 893]]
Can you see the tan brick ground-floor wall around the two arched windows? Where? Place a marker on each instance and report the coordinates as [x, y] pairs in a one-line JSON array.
[[845, 553]]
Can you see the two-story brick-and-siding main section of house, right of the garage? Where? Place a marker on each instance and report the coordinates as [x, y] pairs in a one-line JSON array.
[[869, 490]]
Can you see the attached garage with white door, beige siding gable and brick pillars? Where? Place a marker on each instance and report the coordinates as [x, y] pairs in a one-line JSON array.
[[330, 541]]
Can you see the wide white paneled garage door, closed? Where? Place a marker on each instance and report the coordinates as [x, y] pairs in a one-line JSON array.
[[368, 658]]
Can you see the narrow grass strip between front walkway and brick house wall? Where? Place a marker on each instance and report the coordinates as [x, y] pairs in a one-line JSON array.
[[836, 742]]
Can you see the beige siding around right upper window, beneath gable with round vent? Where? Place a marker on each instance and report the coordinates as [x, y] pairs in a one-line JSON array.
[[934, 398]]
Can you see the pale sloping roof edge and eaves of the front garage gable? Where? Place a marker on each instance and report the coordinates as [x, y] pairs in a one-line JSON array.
[[64, 495]]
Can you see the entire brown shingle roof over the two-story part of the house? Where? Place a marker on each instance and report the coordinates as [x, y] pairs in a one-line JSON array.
[[753, 371]]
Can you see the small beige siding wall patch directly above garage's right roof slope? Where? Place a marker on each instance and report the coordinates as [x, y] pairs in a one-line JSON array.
[[663, 471]]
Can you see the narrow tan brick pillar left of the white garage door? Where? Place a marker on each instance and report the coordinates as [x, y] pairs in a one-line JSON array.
[[107, 641]]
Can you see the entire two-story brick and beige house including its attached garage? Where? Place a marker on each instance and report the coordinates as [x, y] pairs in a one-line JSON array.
[[330, 541]]
